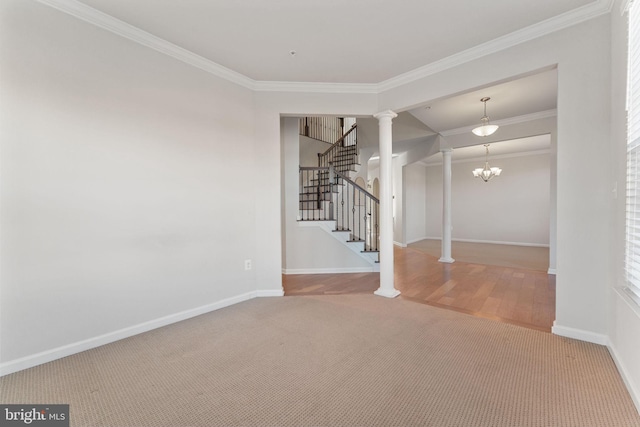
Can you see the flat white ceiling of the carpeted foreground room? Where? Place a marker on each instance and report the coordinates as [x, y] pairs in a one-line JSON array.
[[335, 41]]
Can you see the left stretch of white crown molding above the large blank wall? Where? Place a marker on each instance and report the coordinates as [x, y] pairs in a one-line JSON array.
[[121, 28]]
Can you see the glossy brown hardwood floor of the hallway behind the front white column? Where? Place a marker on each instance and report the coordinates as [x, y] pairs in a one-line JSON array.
[[518, 296]]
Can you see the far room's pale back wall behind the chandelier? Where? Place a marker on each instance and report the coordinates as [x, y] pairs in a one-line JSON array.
[[512, 208]]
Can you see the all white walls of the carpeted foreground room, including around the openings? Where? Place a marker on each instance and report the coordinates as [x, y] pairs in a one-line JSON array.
[[119, 164]]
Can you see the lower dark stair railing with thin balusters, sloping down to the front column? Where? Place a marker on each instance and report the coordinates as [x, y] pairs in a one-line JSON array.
[[327, 194]]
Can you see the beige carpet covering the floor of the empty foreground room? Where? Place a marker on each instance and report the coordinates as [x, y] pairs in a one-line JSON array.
[[334, 361]]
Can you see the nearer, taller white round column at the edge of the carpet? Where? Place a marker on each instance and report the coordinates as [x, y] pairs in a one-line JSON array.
[[386, 288]]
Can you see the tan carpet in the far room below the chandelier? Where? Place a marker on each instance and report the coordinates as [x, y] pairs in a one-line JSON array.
[[527, 257]]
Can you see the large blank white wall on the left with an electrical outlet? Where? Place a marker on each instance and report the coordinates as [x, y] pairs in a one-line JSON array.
[[128, 186]]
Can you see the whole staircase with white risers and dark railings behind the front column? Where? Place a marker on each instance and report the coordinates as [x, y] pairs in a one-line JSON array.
[[329, 198]]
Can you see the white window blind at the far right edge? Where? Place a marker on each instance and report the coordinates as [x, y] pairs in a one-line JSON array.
[[632, 252]]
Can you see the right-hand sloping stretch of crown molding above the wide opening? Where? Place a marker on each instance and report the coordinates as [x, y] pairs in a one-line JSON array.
[[531, 32]]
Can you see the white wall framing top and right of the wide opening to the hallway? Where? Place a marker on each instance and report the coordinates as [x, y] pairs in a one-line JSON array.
[[582, 54]]
